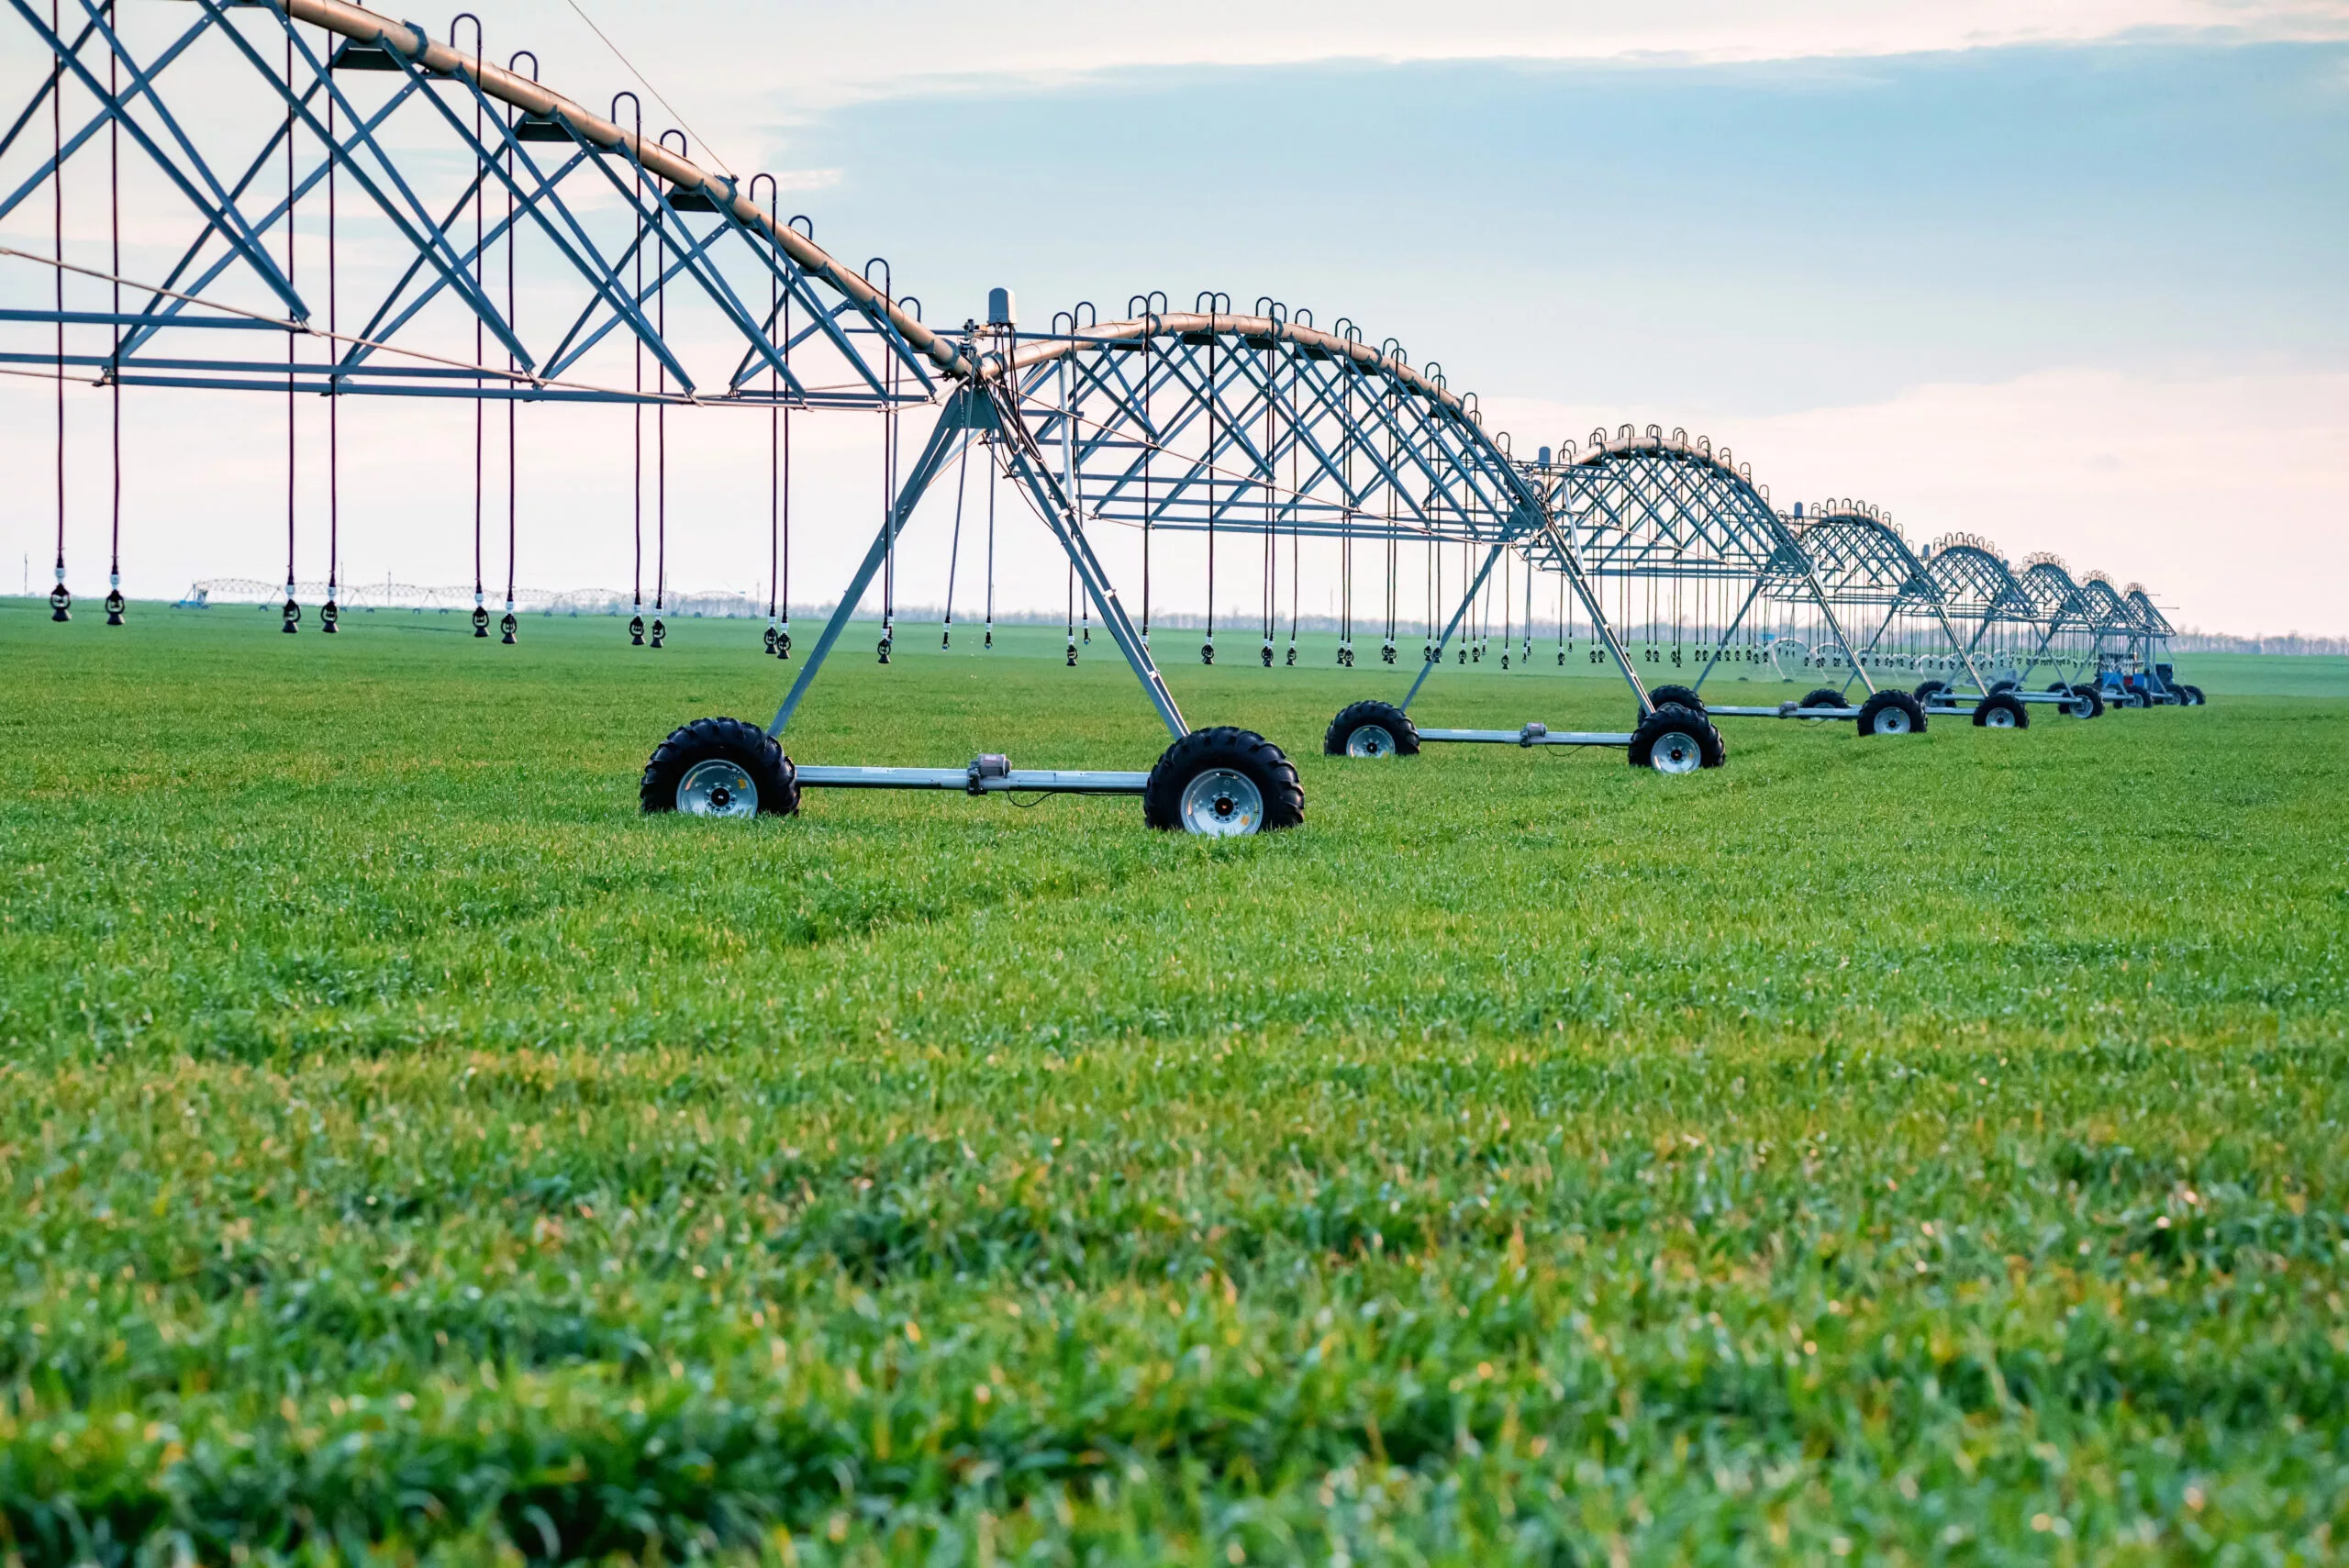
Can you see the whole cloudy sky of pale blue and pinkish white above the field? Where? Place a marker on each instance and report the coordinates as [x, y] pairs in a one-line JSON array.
[[2057, 273]]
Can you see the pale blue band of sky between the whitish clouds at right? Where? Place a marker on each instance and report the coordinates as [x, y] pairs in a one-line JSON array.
[[1749, 238]]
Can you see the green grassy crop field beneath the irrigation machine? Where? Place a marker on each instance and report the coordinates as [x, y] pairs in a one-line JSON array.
[[1909, 1151]]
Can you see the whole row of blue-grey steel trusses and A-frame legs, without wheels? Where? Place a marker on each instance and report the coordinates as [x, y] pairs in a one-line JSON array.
[[455, 175]]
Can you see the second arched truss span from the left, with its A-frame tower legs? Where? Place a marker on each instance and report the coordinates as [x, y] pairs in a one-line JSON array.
[[1227, 426]]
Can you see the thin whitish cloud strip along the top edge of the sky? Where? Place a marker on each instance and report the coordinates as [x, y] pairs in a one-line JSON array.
[[826, 58]]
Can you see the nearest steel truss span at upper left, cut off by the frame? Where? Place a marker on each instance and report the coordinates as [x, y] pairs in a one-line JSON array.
[[628, 243]]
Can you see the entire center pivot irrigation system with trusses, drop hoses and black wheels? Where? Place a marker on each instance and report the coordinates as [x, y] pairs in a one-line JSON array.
[[377, 212]]
